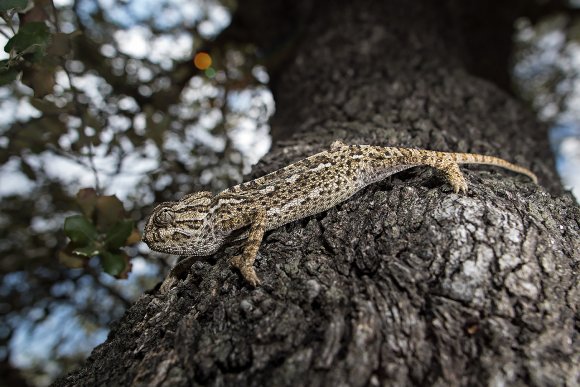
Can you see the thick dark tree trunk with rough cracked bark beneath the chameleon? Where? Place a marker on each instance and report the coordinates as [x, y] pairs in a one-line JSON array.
[[407, 283]]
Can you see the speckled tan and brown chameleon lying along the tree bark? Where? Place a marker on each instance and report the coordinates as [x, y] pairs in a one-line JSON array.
[[200, 223]]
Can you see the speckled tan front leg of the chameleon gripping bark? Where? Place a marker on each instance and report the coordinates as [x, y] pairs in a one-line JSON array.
[[245, 261]]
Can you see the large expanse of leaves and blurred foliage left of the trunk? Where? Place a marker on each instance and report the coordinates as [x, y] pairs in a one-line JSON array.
[[104, 94]]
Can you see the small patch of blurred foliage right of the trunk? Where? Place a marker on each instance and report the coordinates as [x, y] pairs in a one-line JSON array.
[[546, 74]]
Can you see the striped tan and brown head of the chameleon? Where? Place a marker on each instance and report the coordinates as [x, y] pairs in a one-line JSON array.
[[183, 227]]
